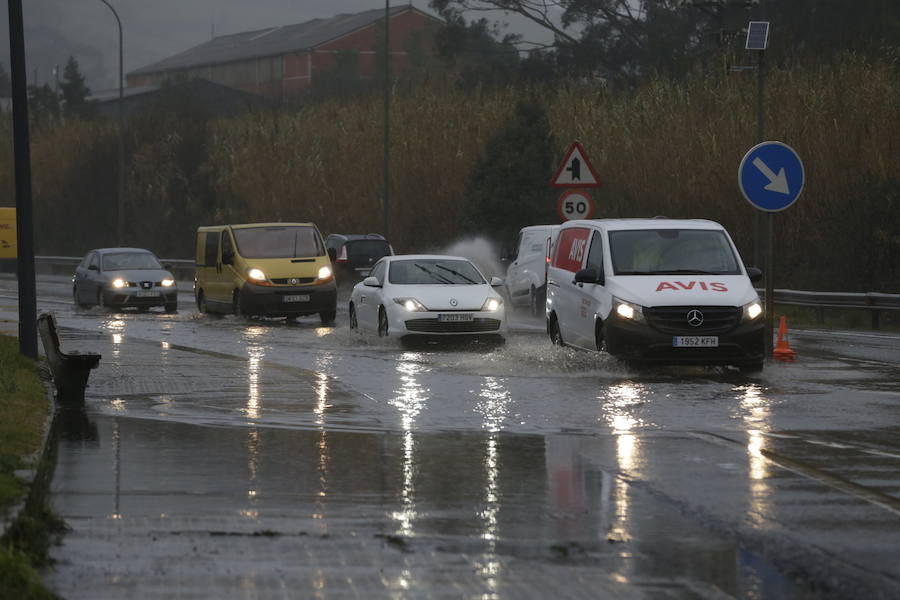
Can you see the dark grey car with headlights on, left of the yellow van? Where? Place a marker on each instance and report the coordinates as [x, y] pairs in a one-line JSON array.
[[122, 278]]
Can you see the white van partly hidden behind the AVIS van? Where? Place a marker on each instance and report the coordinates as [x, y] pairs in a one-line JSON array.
[[526, 275]]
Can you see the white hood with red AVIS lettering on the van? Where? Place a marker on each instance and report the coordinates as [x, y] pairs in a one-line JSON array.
[[679, 290]]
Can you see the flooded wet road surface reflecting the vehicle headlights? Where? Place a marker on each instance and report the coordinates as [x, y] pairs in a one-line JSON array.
[[220, 457]]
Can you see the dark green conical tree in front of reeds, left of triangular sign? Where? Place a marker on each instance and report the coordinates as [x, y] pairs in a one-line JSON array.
[[510, 186]]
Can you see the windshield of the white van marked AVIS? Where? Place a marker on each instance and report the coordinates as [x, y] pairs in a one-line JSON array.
[[672, 252]]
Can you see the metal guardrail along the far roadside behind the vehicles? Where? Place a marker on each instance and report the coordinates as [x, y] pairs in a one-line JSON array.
[[874, 302]]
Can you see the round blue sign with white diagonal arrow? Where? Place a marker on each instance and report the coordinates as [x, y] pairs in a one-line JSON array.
[[771, 176]]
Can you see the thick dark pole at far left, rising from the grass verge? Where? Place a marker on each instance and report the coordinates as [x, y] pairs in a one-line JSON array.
[[24, 217]]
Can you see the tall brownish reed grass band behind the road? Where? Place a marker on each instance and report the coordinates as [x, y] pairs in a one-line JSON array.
[[666, 147]]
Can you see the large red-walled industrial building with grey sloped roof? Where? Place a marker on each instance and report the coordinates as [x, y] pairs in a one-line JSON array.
[[283, 62]]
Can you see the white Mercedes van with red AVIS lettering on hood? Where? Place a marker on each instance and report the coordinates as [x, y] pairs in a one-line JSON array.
[[655, 290]]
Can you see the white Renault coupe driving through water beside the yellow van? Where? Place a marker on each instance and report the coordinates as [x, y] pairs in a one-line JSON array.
[[427, 295]]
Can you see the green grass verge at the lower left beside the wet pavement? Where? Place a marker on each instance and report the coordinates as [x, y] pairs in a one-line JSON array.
[[23, 413]]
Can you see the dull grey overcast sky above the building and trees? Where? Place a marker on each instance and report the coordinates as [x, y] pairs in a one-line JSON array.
[[154, 29]]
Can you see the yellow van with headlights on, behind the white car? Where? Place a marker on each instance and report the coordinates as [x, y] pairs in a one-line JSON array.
[[264, 269]]
